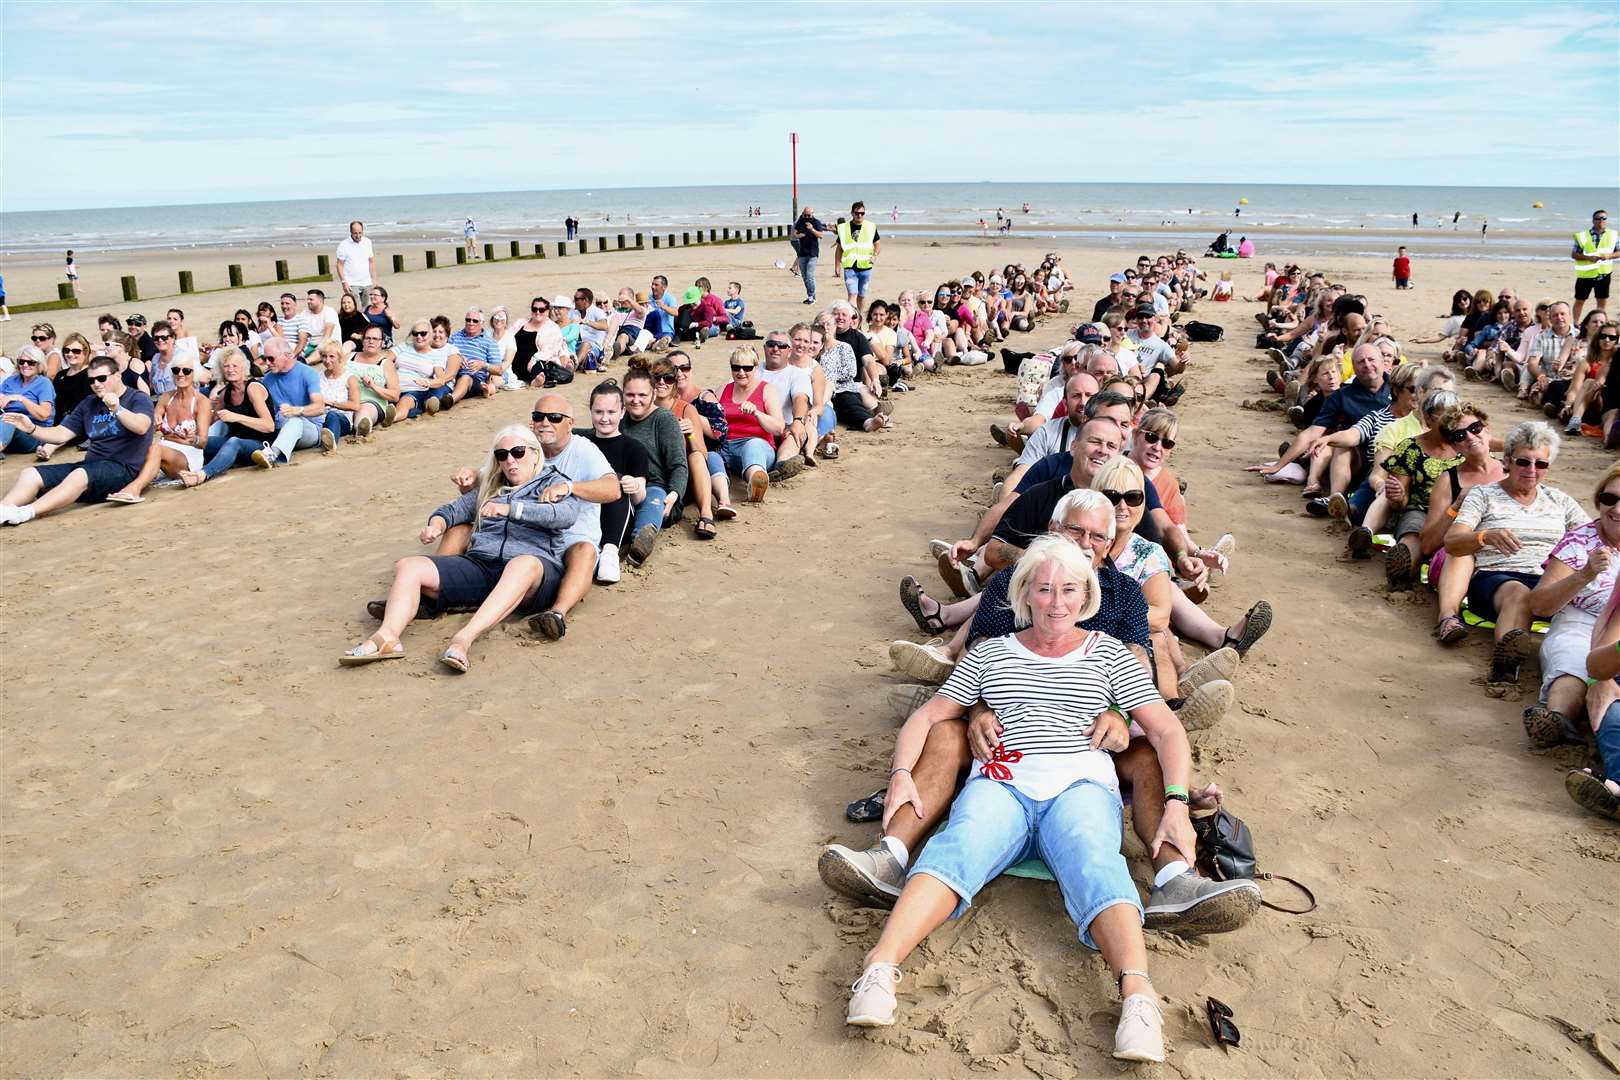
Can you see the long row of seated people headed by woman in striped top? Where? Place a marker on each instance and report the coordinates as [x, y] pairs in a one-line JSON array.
[[1070, 666]]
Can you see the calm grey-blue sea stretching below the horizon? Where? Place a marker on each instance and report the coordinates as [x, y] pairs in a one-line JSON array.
[[1527, 223]]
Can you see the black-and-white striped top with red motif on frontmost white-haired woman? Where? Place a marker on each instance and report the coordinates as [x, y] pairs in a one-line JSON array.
[[1046, 707]]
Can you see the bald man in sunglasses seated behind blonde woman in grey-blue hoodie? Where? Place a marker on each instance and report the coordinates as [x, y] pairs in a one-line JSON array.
[[589, 477]]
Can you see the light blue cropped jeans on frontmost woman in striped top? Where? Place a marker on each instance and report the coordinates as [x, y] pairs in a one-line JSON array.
[[1076, 833]]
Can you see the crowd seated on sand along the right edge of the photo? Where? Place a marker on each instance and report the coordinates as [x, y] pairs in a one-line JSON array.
[[1459, 483]]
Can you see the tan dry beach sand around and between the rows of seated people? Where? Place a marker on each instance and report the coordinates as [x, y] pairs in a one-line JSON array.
[[597, 857]]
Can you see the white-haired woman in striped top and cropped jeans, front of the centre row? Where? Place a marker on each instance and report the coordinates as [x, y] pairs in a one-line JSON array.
[[1046, 789]]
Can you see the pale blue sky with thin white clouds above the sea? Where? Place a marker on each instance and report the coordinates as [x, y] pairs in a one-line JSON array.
[[139, 104]]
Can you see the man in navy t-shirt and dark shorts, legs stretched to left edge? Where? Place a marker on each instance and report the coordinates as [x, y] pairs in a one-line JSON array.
[[114, 420]]
